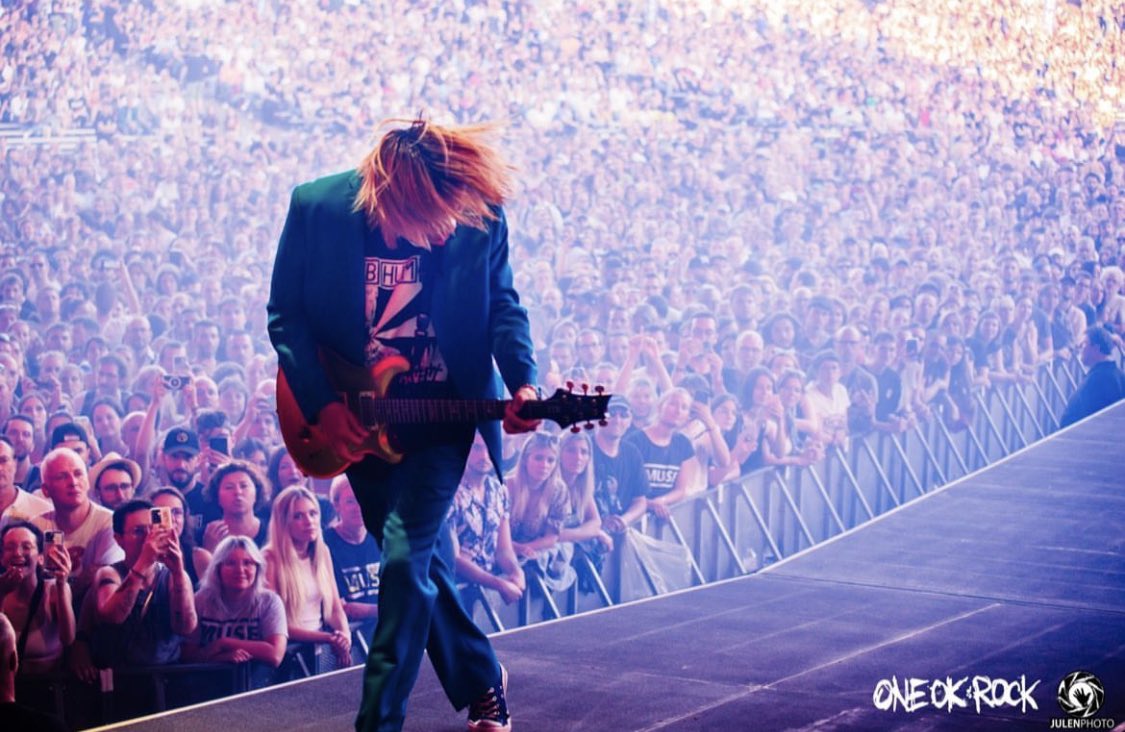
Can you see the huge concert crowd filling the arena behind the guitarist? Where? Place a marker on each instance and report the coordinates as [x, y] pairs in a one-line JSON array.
[[764, 230]]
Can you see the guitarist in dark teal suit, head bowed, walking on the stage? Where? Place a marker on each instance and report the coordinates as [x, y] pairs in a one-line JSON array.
[[408, 257]]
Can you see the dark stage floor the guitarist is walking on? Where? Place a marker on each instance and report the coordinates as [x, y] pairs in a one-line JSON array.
[[1015, 575]]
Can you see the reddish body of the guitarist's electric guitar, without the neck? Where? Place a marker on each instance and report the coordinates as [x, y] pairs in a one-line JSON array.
[[307, 447]]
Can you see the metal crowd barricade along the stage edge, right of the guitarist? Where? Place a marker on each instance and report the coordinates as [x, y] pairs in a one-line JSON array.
[[768, 516]]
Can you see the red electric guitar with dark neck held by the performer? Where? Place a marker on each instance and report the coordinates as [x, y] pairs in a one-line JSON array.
[[365, 393]]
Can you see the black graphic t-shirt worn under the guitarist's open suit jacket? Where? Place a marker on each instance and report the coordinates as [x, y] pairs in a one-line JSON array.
[[398, 309]]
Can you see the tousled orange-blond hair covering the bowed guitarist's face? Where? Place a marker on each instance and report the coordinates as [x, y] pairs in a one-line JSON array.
[[420, 178]]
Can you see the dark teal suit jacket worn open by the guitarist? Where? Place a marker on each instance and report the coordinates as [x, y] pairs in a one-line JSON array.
[[317, 300]]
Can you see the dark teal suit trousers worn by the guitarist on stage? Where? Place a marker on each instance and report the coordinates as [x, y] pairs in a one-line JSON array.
[[406, 508]]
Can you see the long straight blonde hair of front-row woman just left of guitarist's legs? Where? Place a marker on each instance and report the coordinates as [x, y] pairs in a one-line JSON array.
[[283, 555]]
